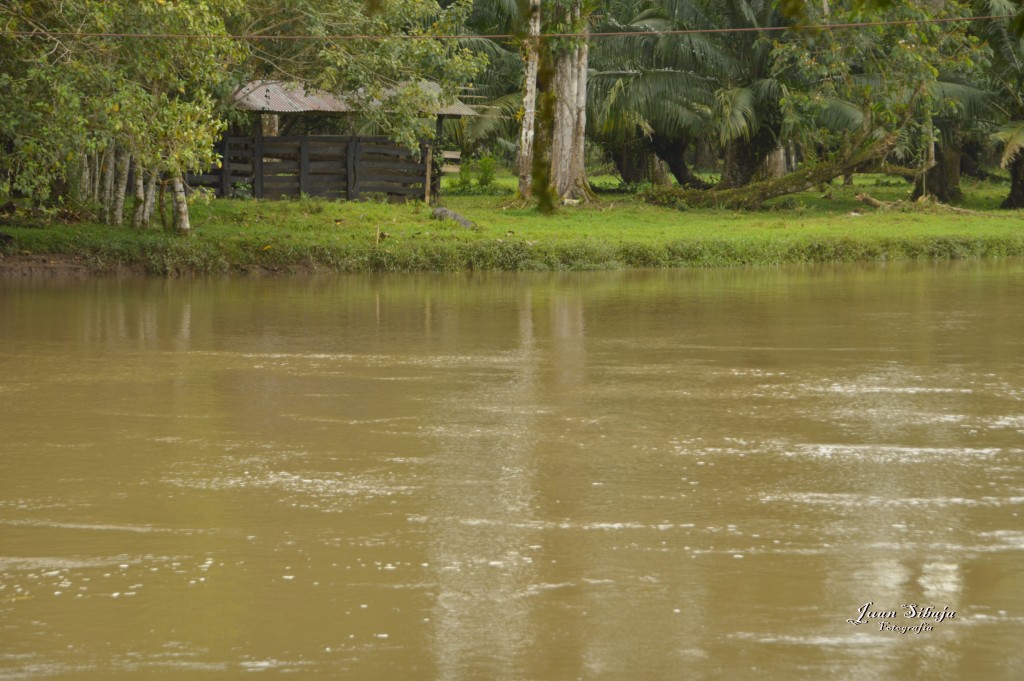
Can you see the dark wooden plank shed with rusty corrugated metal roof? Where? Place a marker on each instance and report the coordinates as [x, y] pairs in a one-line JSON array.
[[334, 166]]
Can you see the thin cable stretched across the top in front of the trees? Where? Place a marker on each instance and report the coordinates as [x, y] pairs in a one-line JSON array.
[[607, 34]]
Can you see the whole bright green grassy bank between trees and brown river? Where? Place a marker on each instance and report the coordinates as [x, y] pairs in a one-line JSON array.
[[621, 231]]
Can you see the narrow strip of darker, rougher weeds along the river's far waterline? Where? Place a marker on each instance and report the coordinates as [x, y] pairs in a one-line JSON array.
[[190, 258]]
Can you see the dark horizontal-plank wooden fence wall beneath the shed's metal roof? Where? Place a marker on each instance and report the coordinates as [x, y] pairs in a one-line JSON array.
[[336, 167]]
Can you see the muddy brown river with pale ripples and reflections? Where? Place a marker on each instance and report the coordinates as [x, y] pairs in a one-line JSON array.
[[613, 476]]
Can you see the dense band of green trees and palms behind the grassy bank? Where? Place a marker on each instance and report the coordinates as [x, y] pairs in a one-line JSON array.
[[98, 93]]
